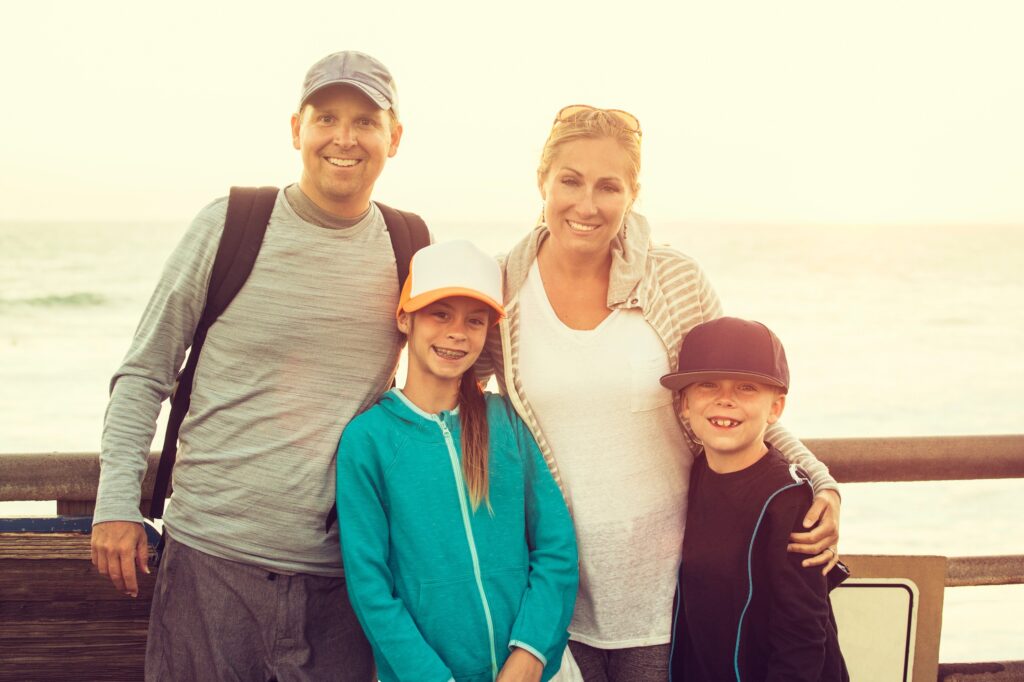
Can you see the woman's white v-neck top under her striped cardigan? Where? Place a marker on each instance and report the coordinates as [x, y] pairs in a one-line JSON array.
[[624, 464]]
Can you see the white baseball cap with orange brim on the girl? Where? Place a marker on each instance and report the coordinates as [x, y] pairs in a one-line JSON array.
[[452, 269]]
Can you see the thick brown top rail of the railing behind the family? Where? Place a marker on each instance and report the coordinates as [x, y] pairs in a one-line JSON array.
[[75, 476]]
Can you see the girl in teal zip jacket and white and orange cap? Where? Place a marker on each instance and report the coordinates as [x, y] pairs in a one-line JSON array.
[[460, 556]]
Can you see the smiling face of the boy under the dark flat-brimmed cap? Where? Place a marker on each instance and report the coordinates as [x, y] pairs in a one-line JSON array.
[[731, 416]]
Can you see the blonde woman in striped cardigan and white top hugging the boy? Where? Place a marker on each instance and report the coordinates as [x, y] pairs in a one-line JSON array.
[[596, 315]]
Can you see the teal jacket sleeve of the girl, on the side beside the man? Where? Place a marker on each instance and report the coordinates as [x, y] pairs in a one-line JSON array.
[[400, 650]]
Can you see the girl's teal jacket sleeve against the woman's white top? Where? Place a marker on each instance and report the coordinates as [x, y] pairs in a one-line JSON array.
[[541, 626]]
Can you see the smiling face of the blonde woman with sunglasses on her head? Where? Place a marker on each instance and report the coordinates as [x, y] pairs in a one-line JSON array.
[[587, 191]]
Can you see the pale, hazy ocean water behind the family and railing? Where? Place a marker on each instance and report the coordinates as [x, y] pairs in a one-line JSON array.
[[890, 331]]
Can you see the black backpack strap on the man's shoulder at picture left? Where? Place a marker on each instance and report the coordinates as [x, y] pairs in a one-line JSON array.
[[248, 215]]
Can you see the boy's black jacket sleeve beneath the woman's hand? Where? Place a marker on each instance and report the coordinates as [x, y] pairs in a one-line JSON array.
[[799, 599]]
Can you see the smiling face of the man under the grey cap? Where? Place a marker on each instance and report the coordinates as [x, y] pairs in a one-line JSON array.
[[345, 140]]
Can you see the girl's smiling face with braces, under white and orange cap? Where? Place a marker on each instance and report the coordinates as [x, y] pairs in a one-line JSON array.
[[446, 338]]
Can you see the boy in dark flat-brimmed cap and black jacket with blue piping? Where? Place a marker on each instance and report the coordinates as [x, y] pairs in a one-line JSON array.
[[747, 610]]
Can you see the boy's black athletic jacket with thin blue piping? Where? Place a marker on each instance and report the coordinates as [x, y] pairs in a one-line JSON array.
[[746, 609]]
